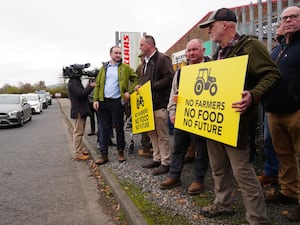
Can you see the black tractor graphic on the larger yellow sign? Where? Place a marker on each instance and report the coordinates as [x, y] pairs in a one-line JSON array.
[[205, 82]]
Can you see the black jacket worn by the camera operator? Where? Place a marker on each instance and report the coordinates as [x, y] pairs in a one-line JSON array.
[[79, 98]]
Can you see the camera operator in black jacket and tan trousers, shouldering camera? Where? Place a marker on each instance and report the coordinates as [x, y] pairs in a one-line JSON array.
[[79, 109]]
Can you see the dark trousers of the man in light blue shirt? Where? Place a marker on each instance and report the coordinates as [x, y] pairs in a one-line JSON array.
[[111, 112]]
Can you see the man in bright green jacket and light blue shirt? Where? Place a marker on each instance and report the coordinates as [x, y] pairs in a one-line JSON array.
[[111, 92]]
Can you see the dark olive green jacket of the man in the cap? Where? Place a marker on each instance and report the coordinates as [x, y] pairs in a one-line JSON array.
[[261, 76]]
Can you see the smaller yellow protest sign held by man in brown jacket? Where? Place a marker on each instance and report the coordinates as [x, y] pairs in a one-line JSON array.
[[142, 110]]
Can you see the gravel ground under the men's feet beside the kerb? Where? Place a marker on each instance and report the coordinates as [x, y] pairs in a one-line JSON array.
[[177, 200]]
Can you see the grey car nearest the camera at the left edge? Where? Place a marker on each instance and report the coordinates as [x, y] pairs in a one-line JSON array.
[[14, 110]]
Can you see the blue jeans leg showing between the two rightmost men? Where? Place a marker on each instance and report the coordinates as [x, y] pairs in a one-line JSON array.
[[271, 163]]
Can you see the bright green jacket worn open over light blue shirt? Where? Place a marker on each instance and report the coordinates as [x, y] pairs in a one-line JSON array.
[[128, 79]]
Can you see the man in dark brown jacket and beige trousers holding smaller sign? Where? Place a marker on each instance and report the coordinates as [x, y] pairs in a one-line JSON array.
[[159, 70]]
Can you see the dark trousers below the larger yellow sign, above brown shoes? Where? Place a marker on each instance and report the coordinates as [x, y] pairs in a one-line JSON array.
[[182, 140]]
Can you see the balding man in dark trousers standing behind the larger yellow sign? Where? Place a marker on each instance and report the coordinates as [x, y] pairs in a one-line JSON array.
[[182, 139]]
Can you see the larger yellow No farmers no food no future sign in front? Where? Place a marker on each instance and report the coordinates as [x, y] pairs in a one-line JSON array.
[[206, 93]]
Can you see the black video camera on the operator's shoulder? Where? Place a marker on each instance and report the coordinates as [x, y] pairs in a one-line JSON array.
[[78, 70]]
